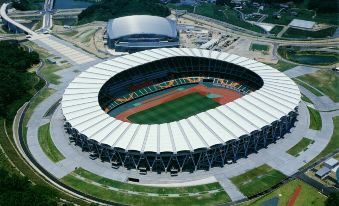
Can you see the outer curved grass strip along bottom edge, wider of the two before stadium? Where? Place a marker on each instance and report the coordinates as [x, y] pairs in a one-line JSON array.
[[125, 198]]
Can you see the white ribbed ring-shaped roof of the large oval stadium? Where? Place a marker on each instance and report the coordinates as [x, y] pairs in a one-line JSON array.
[[276, 98]]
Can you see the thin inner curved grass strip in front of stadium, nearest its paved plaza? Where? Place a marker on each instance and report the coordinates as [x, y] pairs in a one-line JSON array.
[[140, 188]]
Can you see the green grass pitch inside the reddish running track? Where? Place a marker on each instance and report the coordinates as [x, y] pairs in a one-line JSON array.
[[177, 109]]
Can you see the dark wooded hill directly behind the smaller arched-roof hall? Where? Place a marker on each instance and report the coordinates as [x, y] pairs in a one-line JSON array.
[[108, 9]]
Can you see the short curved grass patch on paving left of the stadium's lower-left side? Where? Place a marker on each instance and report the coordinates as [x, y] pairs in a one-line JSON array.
[[47, 144]]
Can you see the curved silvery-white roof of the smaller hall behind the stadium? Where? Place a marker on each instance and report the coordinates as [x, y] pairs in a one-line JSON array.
[[141, 24]]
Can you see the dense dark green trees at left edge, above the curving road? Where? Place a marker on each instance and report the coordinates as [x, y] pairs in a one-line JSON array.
[[16, 83]]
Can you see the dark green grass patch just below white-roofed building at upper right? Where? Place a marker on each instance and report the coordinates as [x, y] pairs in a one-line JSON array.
[[298, 33]]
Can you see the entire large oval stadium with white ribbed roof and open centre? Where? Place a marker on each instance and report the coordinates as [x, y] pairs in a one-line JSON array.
[[177, 110]]
